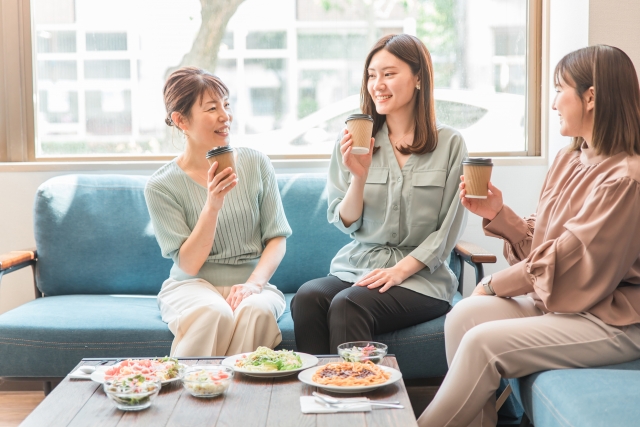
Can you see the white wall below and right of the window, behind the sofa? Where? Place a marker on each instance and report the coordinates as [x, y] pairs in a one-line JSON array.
[[520, 184]]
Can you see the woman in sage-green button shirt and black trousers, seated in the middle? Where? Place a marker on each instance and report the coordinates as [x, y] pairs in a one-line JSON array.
[[398, 203]]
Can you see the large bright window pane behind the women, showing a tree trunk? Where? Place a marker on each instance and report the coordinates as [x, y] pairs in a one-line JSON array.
[[294, 69]]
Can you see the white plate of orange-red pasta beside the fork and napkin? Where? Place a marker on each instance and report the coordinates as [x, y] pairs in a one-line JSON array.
[[350, 377]]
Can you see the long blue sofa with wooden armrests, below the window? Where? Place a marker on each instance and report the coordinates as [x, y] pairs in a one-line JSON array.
[[98, 270]]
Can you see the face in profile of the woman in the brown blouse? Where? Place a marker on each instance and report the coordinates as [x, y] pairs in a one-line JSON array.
[[575, 112]]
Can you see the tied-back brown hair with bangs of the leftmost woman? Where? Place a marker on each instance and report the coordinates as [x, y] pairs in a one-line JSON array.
[[187, 85]]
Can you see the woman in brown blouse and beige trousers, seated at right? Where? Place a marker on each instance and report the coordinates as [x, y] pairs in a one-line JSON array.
[[576, 260]]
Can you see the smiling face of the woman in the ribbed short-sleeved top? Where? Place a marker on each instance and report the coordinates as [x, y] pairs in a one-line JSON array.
[[209, 122]]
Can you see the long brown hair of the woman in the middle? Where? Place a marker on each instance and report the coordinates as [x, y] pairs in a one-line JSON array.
[[412, 51]]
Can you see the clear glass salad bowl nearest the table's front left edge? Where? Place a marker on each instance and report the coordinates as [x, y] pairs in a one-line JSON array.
[[132, 393]]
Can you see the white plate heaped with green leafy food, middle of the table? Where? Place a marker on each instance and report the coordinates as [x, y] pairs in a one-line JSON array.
[[267, 363]]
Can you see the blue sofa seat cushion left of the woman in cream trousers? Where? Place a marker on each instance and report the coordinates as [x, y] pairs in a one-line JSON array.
[[49, 336]]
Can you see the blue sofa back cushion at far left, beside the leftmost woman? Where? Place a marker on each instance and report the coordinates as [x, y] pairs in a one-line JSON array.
[[94, 236]]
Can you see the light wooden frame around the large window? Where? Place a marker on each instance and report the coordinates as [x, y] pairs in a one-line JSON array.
[[17, 83]]
